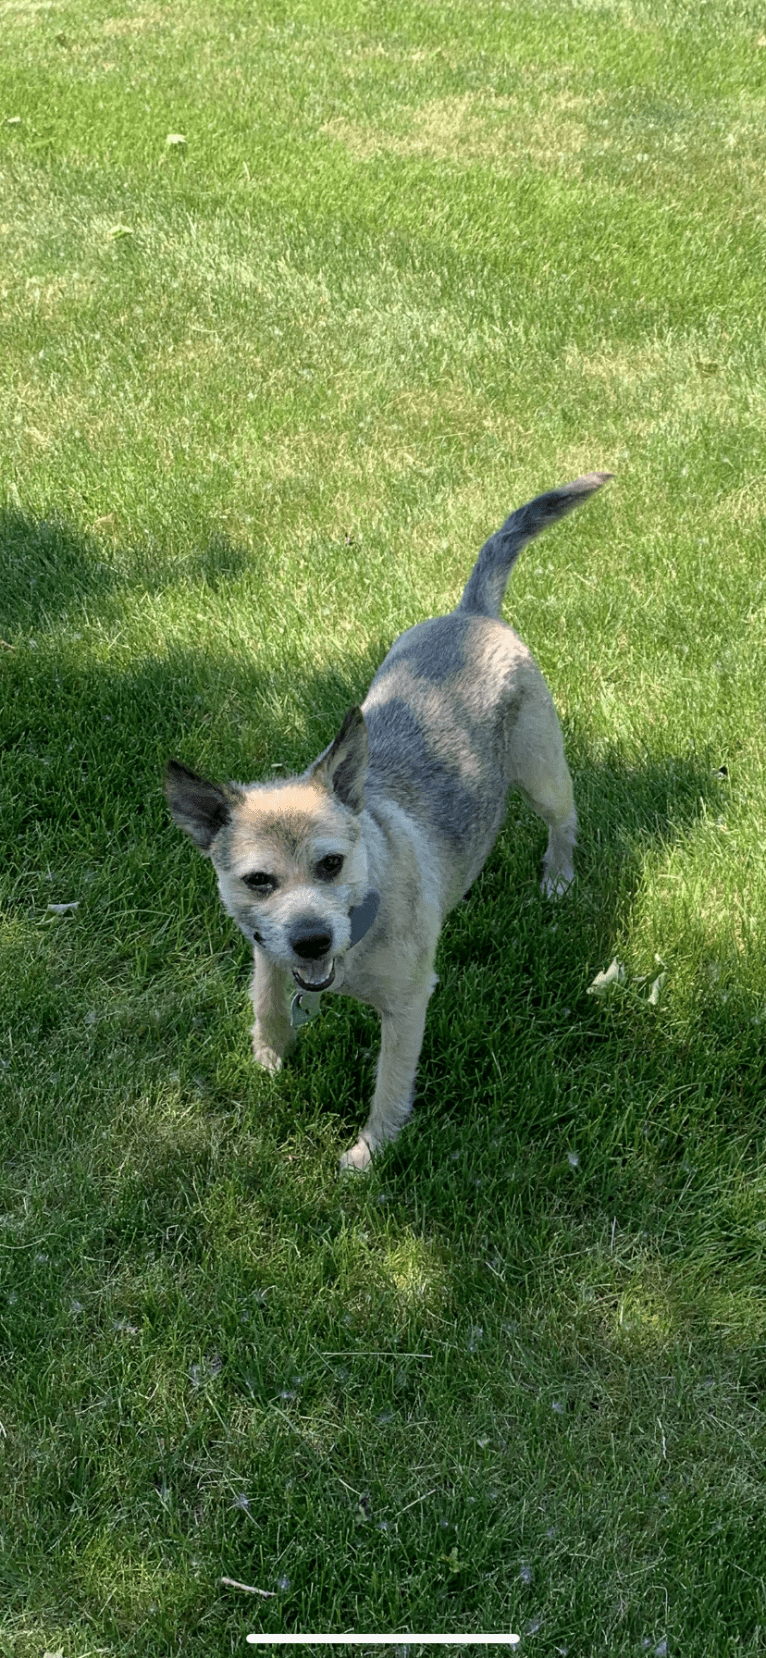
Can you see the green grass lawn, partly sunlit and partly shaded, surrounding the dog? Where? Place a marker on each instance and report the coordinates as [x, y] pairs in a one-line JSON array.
[[264, 394]]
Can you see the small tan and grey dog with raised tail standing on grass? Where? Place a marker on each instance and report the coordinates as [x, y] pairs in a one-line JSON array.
[[342, 878]]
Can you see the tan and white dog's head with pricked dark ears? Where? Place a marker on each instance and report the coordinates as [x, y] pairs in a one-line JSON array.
[[289, 856]]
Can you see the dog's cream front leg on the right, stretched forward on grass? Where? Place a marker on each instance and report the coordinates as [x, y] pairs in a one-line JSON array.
[[402, 1040]]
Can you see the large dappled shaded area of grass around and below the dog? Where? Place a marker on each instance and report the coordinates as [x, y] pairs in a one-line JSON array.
[[503, 1276]]
